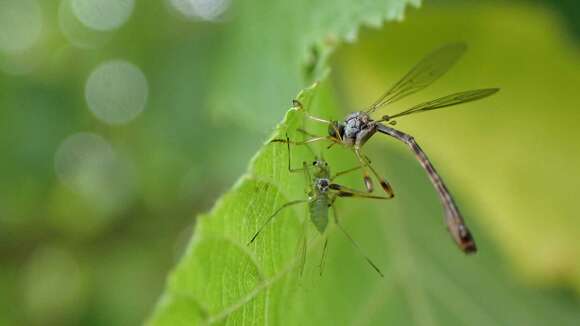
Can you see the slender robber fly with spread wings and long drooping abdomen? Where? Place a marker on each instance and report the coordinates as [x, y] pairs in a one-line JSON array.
[[358, 127]]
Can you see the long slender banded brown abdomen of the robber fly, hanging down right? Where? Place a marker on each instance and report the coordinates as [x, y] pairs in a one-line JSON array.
[[453, 218]]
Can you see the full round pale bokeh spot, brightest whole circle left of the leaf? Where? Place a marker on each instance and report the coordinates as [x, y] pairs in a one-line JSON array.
[[116, 92]]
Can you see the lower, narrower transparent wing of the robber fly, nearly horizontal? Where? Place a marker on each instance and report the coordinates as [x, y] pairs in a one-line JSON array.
[[448, 100]]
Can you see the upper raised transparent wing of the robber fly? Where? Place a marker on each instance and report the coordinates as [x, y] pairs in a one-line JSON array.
[[428, 70]]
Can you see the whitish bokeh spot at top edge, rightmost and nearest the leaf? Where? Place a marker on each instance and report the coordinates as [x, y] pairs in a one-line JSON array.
[[210, 10]]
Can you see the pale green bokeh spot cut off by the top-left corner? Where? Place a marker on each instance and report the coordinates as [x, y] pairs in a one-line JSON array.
[[20, 24]]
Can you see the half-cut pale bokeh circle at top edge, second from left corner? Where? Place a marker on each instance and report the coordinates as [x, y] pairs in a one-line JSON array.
[[103, 15]]
